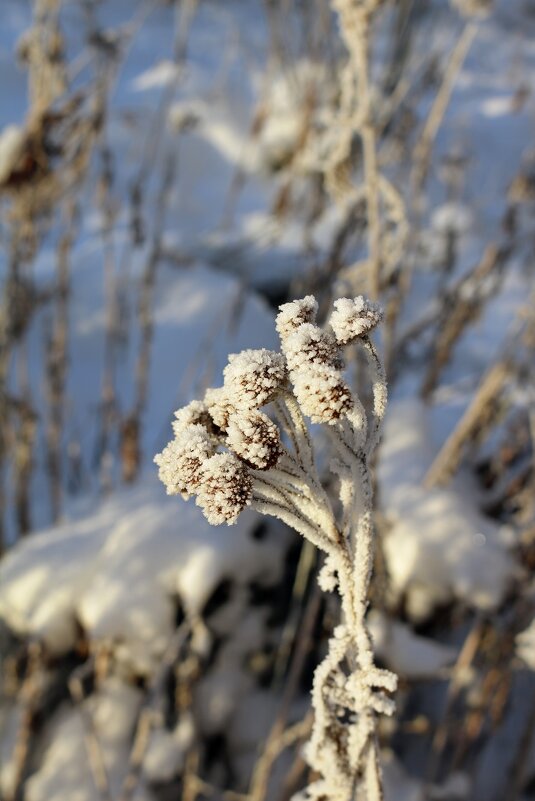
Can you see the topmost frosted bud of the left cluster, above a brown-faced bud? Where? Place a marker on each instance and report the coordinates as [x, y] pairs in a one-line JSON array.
[[253, 377]]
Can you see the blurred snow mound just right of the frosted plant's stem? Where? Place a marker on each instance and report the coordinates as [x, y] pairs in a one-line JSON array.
[[439, 547]]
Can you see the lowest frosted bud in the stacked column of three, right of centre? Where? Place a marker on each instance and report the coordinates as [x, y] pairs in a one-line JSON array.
[[322, 393]]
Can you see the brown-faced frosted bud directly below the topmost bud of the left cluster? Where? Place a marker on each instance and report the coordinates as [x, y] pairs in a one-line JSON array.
[[255, 439]]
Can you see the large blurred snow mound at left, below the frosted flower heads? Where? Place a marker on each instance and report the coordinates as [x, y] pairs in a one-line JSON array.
[[121, 571]]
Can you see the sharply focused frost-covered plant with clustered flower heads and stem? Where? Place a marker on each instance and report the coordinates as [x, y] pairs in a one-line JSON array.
[[231, 455]]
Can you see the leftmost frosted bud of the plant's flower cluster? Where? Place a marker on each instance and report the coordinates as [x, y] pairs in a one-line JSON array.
[[181, 460]]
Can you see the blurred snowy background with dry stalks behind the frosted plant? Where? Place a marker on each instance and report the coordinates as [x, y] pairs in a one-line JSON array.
[[165, 183]]
